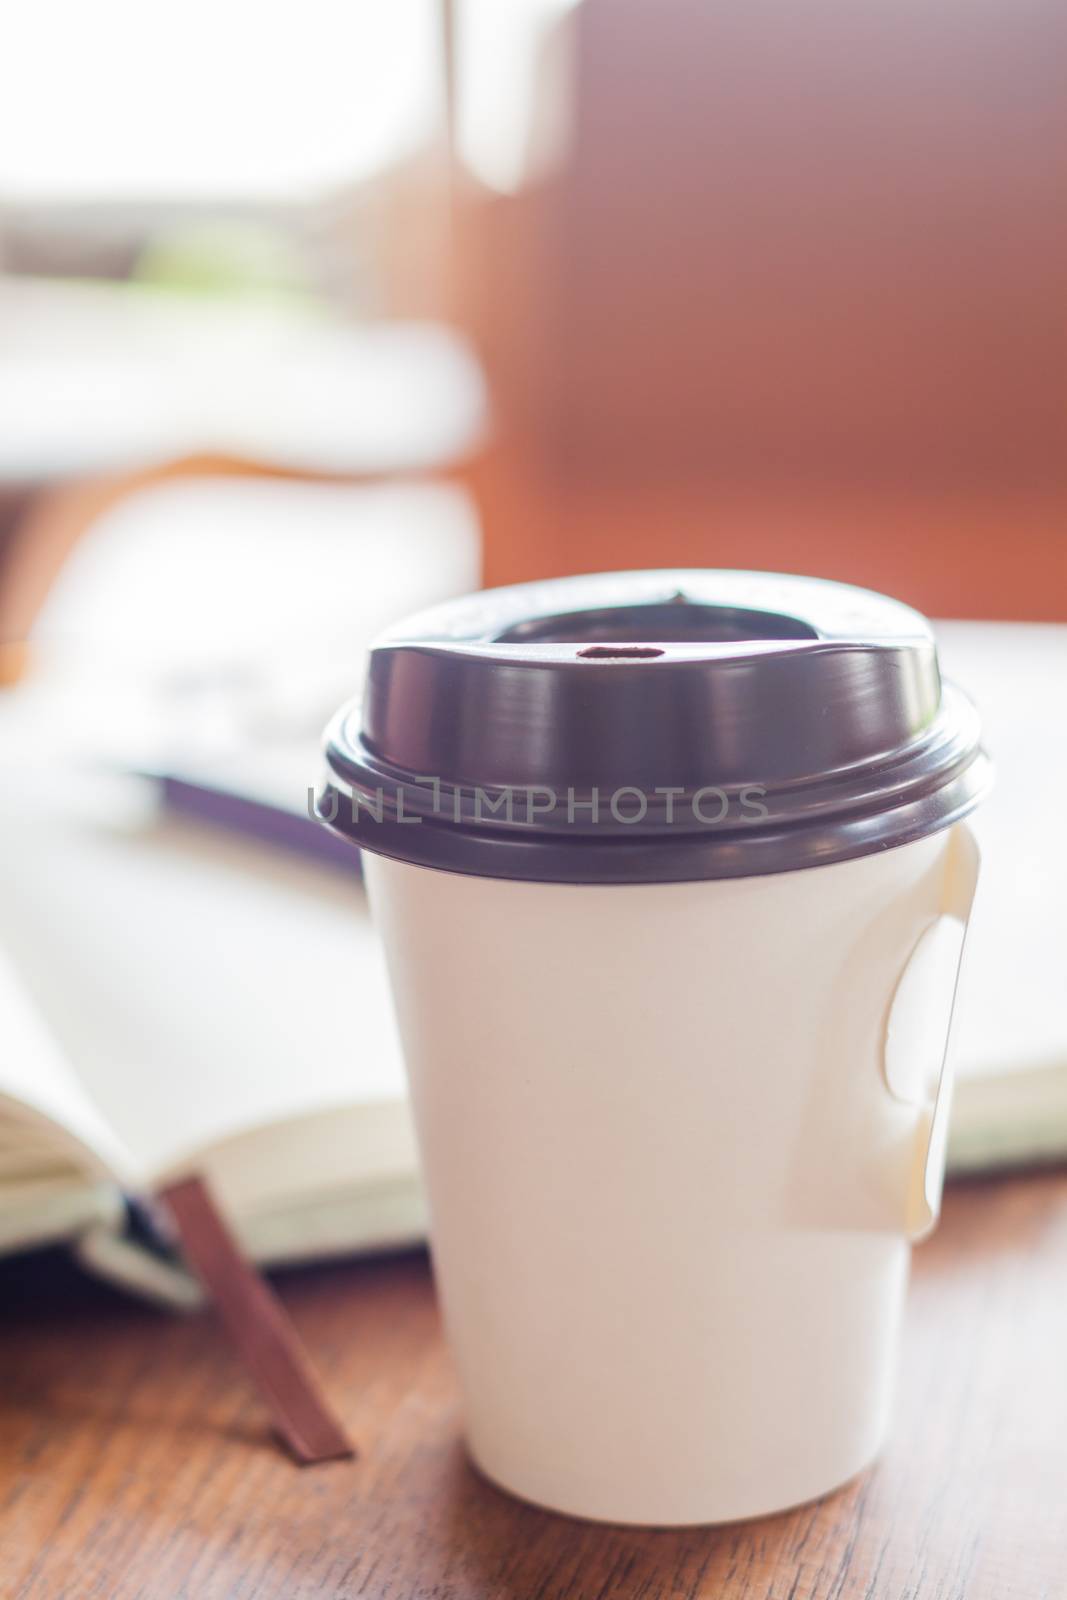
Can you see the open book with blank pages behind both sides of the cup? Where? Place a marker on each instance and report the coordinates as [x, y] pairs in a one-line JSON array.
[[175, 999]]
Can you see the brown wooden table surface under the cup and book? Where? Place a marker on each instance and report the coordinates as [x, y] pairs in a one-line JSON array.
[[135, 1463]]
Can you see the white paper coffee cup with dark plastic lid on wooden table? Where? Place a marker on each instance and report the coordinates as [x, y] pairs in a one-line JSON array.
[[677, 1132]]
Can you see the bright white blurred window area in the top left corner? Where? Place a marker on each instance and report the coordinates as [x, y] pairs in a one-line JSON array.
[[234, 102]]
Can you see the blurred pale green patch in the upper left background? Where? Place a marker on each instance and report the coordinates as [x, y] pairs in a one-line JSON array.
[[225, 258]]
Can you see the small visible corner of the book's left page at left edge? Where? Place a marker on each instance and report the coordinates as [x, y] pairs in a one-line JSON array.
[[47, 1119]]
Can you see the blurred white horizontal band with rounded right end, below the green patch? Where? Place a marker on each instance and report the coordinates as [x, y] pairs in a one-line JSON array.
[[98, 377]]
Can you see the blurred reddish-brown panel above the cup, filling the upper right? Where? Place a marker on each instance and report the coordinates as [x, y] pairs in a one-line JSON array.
[[796, 300]]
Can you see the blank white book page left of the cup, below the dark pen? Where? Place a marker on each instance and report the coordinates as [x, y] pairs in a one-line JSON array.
[[199, 986]]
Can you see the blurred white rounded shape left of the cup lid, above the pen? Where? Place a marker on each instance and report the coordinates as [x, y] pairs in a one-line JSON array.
[[214, 615]]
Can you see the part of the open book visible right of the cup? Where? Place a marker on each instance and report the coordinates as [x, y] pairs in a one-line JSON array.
[[1010, 1103]]
